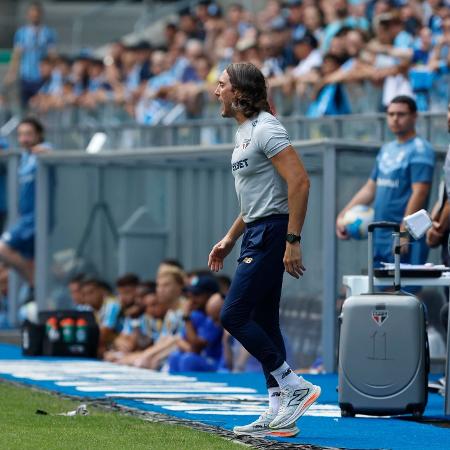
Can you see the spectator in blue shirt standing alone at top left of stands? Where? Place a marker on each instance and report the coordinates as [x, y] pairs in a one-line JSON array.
[[32, 43]]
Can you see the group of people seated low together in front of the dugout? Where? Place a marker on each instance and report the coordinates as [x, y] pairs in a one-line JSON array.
[[171, 323]]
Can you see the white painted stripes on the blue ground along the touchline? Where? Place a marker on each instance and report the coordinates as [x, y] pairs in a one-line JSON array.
[[177, 393]]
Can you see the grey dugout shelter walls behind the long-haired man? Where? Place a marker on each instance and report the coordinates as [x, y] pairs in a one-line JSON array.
[[119, 211]]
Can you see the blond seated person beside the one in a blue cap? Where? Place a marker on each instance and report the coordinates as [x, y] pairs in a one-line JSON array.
[[169, 288]]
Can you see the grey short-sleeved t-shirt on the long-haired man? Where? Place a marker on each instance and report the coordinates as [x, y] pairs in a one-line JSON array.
[[260, 189]]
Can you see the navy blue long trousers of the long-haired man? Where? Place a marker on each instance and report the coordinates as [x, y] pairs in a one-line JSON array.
[[251, 309]]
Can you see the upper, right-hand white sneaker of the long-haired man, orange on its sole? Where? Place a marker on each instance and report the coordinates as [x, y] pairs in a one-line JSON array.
[[294, 401]]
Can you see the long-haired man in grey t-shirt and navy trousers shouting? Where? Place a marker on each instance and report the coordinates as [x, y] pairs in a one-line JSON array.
[[272, 188]]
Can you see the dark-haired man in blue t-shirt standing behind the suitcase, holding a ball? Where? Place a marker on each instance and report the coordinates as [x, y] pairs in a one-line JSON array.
[[399, 184]]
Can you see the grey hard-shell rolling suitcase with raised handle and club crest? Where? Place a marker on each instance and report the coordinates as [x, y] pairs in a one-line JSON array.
[[383, 348]]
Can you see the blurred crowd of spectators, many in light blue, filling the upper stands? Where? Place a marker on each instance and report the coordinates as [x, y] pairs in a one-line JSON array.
[[304, 47]]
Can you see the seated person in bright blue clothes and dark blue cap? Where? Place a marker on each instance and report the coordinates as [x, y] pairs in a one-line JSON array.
[[200, 345]]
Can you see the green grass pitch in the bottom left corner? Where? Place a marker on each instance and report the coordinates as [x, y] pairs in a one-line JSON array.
[[21, 428]]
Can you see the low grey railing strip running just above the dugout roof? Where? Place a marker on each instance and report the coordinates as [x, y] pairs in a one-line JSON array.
[[129, 136]]
